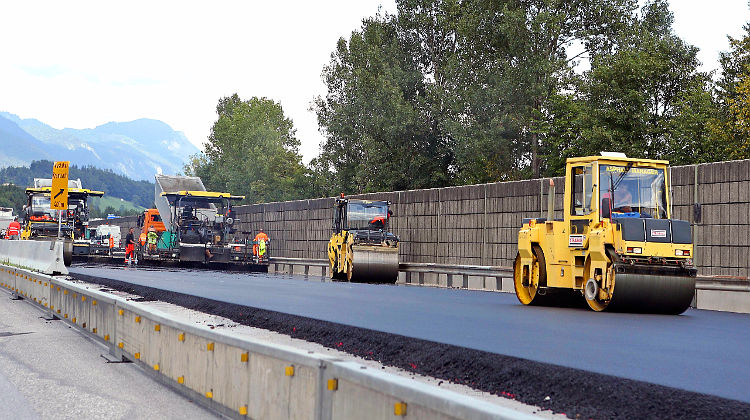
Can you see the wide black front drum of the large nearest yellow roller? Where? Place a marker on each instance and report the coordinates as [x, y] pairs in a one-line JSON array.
[[652, 293]]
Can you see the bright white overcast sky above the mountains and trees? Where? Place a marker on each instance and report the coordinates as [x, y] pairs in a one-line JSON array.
[[80, 64]]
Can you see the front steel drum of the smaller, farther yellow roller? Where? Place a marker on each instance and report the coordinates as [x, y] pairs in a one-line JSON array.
[[374, 264]]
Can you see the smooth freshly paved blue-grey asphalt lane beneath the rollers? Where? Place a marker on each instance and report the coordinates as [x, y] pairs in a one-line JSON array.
[[702, 351]]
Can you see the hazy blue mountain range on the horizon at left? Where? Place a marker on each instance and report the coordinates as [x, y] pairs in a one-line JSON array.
[[137, 149]]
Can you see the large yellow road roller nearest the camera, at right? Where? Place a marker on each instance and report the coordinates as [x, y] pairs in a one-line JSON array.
[[616, 247]]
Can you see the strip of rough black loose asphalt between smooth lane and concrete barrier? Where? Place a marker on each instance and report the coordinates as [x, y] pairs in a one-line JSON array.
[[573, 392]]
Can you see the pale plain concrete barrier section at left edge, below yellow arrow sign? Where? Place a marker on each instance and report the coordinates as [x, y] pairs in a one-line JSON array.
[[42, 256]]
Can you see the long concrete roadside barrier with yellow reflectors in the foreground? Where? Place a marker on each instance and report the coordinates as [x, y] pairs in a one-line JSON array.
[[241, 377]]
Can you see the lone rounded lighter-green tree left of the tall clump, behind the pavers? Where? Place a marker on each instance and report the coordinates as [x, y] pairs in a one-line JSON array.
[[253, 151]]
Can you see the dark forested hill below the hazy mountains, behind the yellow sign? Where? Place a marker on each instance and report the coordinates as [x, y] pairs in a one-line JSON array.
[[140, 193]]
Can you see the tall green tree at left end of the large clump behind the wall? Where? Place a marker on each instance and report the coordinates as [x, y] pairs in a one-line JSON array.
[[380, 132]]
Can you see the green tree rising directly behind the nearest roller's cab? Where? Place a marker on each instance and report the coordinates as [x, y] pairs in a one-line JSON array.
[[645, 98]]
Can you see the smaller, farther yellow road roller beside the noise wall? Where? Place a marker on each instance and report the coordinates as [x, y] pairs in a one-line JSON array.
[[361, 248]]
